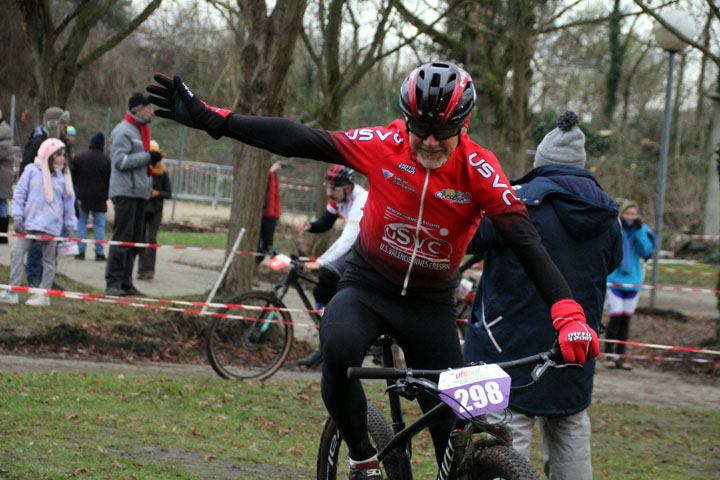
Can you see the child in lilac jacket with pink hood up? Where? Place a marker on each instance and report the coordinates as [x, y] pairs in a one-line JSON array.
[[43, 204]]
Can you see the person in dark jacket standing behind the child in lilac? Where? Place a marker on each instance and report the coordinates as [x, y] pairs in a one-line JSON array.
[[54, 125]]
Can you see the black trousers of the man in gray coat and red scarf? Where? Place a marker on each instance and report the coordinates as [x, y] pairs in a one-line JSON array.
[[128, 226]]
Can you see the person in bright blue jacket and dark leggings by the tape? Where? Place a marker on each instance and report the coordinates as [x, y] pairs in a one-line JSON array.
[[638, 243]]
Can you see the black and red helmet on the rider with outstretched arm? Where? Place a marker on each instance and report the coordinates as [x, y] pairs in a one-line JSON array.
[[438, 92]]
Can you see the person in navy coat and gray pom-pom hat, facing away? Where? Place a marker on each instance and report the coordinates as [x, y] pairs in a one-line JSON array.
[[577, 222]]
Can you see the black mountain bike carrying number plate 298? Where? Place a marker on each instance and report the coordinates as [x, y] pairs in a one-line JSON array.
[[477, 449]]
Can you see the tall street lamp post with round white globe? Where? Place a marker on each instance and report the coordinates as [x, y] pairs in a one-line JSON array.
[[666, 40]]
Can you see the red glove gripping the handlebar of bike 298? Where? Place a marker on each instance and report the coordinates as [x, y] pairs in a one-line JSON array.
[[578, 342]]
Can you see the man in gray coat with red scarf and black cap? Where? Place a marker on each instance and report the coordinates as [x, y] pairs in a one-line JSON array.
[[130, 185]]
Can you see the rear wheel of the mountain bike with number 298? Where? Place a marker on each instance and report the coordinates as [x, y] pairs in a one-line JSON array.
[[333, 456]]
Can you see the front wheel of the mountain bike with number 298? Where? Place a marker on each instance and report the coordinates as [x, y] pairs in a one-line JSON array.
[[498, 462]]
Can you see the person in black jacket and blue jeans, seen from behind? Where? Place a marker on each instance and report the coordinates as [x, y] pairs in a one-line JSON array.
[[91, 176]]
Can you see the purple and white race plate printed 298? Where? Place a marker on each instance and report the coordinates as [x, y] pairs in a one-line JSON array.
[[476, 390]]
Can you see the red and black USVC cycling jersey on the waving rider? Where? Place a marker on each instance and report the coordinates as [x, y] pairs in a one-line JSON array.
[[417, 223]]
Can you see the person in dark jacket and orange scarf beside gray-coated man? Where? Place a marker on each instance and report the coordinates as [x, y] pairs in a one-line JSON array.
[[161, 190]]
